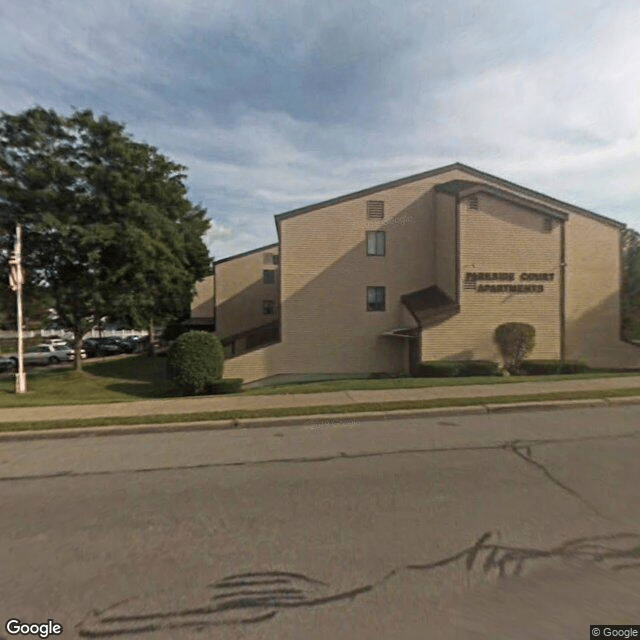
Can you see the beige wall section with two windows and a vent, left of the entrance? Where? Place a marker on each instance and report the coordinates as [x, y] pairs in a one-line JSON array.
[[325, 274]]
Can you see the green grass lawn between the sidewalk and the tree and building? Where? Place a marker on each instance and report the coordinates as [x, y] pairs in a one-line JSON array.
[[138, 377]]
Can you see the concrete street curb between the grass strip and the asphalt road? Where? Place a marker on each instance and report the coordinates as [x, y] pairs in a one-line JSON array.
[[317, 420]]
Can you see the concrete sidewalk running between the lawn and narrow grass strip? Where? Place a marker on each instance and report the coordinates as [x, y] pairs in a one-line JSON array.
[[227, 403]]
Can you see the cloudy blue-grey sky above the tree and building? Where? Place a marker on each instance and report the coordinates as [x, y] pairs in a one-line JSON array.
[[278, 104]]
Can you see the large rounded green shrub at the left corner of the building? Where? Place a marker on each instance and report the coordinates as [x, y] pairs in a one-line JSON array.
[[194, 361]]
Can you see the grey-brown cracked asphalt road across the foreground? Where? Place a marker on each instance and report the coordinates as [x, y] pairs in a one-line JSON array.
[[523, 525]]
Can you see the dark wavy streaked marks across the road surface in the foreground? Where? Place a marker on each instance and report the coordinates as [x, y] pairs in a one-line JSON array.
[[251, 598]]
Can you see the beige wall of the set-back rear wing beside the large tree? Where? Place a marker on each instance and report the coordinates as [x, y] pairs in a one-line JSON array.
[[240, 292]]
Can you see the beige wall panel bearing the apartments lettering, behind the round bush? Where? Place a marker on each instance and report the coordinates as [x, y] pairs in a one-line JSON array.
[[500, 237]]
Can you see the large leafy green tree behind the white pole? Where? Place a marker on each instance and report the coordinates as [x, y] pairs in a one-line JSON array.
[[108, 227]]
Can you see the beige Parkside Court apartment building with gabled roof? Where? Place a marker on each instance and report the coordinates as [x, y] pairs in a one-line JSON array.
[[419, 269]]
